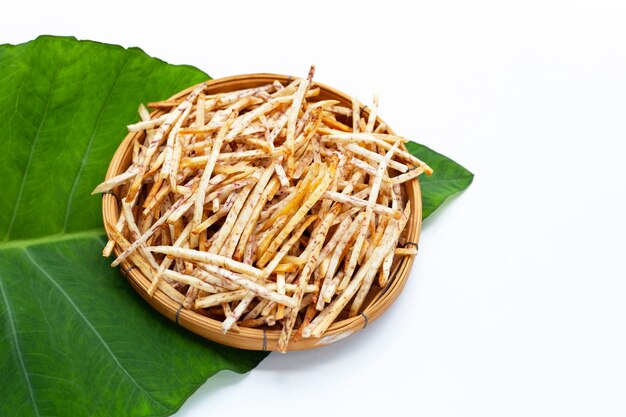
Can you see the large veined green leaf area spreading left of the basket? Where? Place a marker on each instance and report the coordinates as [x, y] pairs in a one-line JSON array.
[[75, 339]]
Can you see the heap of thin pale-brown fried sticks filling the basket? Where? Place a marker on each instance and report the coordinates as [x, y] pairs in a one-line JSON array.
[[260, 207]]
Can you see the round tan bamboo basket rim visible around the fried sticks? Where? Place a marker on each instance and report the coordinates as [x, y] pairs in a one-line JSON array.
[[377, 302]]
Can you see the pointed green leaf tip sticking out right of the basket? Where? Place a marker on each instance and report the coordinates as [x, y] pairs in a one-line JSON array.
[[448, 178]]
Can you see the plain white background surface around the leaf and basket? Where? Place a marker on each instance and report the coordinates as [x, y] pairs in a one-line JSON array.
[[516, 304]]
